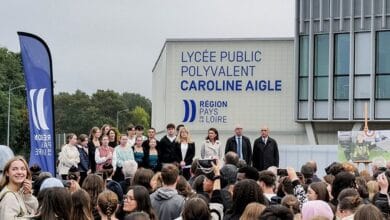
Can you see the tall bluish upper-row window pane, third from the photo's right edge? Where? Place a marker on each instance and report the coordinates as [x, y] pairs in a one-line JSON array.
[[341, 53]]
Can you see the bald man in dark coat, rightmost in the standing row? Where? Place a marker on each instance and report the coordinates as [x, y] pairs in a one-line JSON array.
[[265, 151]]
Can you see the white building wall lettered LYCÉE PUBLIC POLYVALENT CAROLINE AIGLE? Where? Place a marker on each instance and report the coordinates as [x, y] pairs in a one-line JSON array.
[[223, 82]]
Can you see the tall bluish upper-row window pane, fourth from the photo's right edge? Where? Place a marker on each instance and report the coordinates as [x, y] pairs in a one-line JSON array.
[[321, 59]]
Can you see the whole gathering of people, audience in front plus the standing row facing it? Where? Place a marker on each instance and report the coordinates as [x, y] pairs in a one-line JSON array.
[[108, 175]]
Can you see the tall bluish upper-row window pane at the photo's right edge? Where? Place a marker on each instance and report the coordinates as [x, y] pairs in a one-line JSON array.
[[383, 52]]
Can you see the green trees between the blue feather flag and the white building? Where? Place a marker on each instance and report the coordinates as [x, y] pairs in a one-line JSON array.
[[79, 112]]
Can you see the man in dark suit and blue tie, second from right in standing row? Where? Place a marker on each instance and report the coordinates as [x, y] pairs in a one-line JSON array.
[[240, 145]]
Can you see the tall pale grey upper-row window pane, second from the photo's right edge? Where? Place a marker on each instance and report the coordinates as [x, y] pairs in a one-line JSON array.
[[362, 53]]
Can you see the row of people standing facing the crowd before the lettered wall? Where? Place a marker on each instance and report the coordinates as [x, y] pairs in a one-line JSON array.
[[105, 145]]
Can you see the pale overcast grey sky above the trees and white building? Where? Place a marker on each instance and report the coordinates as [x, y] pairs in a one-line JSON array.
[[102, 44]]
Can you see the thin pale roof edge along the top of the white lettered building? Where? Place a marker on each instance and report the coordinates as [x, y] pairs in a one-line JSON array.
[[171, 40]]
